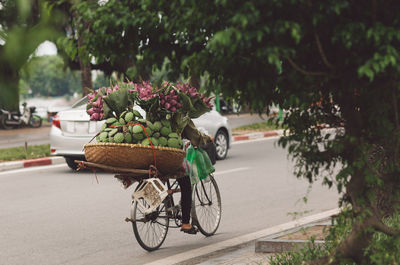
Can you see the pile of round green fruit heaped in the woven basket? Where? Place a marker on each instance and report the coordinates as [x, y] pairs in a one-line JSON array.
[[130, 128]]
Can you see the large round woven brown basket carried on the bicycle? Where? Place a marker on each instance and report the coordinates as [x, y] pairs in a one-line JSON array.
[[168, 160]]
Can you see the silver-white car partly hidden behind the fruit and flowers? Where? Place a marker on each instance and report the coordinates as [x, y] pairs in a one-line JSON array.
[[71, 130]]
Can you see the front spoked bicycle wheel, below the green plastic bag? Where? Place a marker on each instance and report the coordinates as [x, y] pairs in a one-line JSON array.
[[206, 208]]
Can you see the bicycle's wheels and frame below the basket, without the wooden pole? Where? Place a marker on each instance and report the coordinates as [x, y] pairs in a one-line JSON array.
[[151, 229]]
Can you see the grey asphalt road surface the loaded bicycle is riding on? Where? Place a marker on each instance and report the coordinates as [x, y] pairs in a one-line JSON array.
[[51, 215]]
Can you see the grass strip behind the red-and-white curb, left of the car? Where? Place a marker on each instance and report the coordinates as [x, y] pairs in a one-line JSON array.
[[19, 153]]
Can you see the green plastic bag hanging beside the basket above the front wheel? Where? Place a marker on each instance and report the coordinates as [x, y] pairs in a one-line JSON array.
[[200, 164]]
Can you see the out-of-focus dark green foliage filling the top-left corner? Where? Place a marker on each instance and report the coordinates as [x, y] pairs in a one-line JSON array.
[[23, 26]]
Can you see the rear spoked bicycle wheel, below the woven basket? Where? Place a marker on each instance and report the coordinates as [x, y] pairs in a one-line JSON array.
[[150, 229]]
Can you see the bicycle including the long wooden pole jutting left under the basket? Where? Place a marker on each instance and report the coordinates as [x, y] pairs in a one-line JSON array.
[[151, 229]]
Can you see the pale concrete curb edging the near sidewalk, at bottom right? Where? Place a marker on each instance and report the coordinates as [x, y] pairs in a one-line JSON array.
[[204, 253]]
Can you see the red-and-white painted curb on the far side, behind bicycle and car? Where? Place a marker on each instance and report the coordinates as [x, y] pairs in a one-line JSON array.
[[59, 160]]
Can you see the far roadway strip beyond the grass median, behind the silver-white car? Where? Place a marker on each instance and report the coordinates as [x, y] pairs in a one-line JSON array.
[[35, 136]]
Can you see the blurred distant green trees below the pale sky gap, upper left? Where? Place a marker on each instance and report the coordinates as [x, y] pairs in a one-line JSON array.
[[48, 76]]
